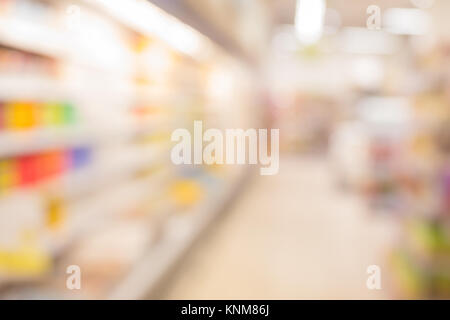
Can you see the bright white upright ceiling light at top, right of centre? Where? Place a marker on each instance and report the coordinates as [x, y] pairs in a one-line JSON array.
[[309, 17]]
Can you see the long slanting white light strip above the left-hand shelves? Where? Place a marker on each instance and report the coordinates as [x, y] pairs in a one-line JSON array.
[[149, 19]]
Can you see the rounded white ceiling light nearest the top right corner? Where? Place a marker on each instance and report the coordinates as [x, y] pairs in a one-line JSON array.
[[407, 21]]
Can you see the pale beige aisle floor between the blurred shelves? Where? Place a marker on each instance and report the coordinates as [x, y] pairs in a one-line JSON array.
[[294, 235]]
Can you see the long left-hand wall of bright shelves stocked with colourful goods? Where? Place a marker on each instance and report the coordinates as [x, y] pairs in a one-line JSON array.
[[86, 114]]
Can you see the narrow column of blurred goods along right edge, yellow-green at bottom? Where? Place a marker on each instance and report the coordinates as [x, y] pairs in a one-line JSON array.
[[422, 264]]
